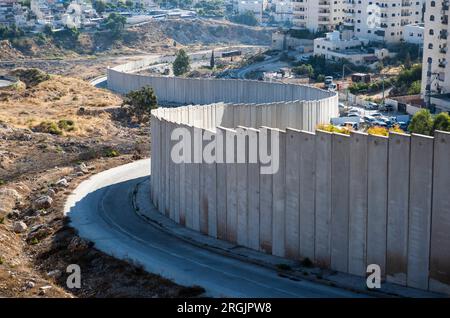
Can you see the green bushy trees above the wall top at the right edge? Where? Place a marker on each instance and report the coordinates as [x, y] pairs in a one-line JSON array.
[[424, 123]]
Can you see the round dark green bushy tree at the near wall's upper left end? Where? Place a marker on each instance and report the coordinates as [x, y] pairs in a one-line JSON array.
[[139, 103]]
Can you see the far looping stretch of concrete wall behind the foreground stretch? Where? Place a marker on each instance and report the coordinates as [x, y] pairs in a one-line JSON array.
[[299, 106]]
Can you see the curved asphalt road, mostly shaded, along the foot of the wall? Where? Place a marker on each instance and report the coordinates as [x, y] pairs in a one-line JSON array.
[[101, 209]]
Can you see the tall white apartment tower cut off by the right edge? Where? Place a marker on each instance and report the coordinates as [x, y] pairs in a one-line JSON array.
[[436, 70]]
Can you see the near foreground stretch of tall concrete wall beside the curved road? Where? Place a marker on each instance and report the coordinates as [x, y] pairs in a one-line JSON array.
[[342, 201]]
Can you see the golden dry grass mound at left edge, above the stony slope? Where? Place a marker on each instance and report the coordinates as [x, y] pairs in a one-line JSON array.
[[60, 98]]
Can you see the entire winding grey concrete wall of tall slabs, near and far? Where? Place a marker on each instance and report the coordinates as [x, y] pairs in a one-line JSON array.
[[343, 202]]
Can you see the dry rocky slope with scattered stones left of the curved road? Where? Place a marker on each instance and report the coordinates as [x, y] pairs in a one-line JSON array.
[[40, 166]]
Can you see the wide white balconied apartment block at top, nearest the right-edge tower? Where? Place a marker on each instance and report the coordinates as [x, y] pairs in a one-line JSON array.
[[382, 21]]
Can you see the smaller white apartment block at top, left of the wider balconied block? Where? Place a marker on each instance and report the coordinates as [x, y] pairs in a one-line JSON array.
[[319, 15]]
